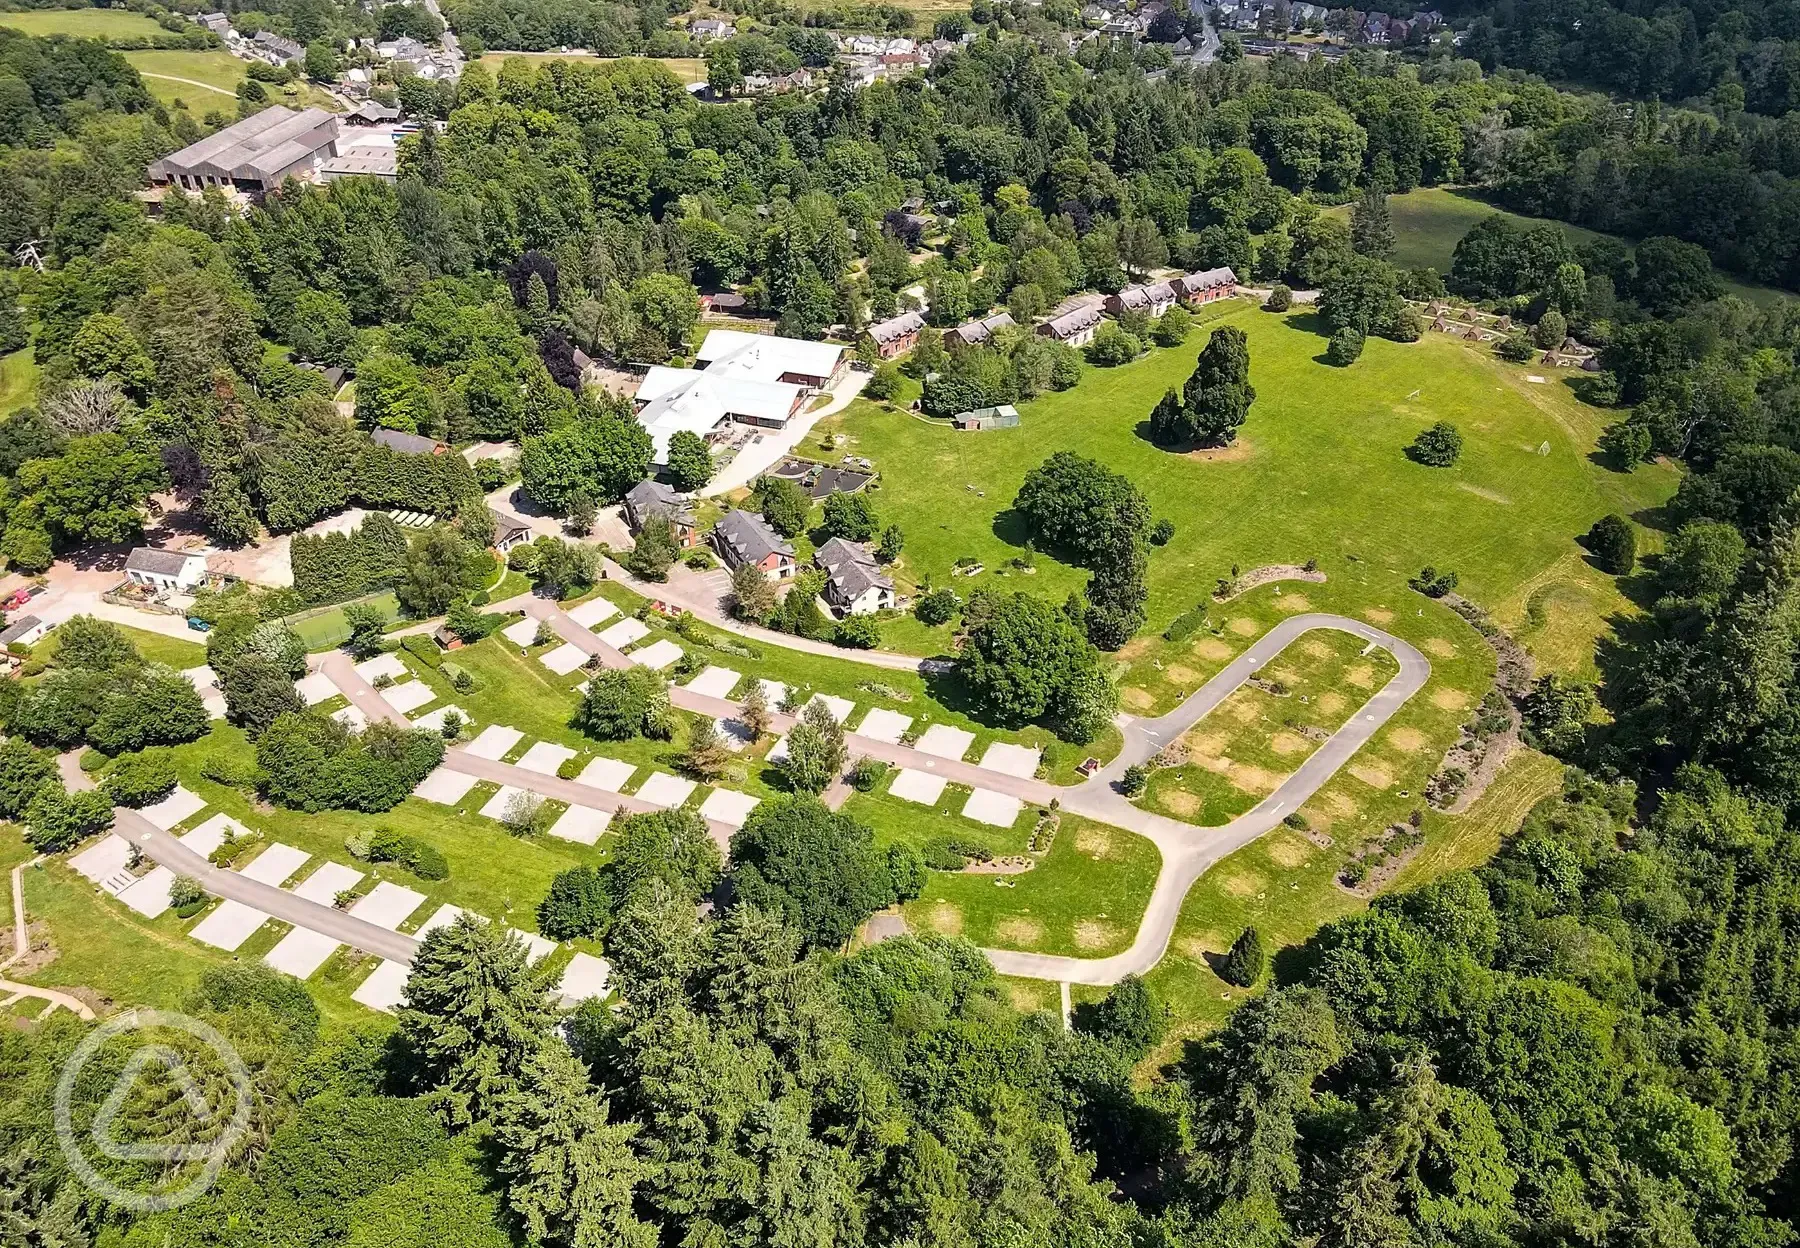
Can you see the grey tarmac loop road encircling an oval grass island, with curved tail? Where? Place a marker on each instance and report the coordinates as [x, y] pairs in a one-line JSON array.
[[1191, 851]]
